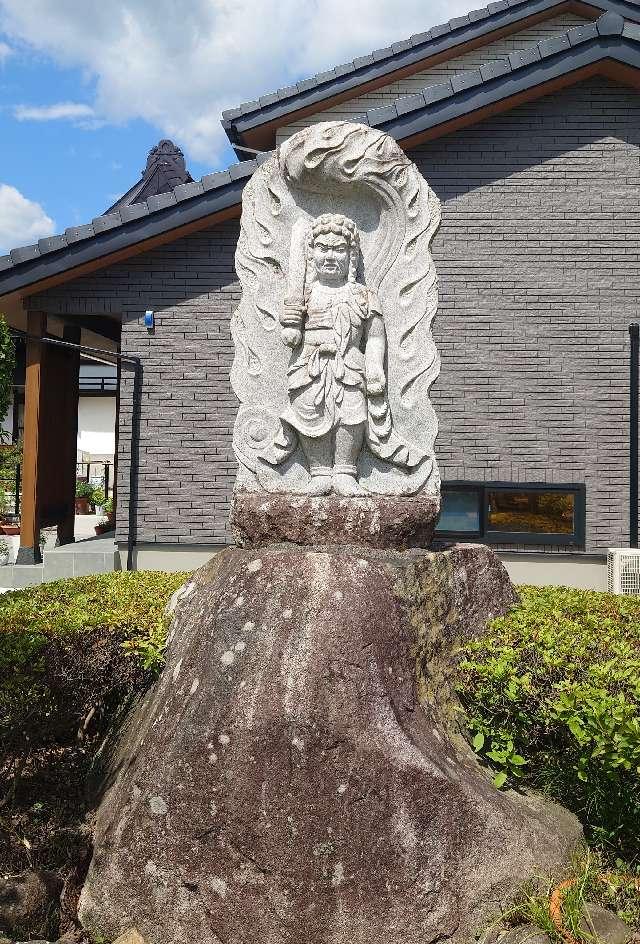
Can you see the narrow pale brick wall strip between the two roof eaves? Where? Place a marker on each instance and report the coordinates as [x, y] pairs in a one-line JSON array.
[[499, 49]]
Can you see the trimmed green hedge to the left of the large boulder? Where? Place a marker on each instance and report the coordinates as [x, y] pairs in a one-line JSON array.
[[63, 645]]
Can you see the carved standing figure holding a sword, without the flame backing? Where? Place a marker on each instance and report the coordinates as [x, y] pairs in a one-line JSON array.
[[337, 334]]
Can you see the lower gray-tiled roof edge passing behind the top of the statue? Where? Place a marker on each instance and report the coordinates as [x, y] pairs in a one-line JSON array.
[[466, 96]]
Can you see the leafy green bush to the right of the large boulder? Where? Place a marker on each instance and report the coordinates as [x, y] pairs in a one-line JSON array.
[[552, 695]]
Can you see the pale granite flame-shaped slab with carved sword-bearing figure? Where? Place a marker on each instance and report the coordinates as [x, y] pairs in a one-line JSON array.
[[334, 261]]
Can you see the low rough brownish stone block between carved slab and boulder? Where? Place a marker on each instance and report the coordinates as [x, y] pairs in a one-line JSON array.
[[259, 519]]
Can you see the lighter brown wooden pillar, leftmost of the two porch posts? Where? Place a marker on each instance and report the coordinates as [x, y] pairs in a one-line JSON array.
[[29, 551]]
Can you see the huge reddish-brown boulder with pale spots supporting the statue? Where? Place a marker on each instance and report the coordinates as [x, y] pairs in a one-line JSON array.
[[295, 775]]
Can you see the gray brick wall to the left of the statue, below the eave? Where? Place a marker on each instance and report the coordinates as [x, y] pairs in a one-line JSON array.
[[187, 409]]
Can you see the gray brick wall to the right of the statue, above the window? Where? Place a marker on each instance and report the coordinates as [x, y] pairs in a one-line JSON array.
[[539, 265]]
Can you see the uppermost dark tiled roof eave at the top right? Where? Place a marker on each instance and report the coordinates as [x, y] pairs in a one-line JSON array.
[[260, 118]]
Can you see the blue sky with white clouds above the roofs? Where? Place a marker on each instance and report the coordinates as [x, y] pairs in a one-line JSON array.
[[88, 87]]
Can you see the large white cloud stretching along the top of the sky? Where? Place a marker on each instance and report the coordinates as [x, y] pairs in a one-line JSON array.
[[179, 65]]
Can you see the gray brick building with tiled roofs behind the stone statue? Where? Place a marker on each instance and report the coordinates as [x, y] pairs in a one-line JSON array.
[[524, 117]]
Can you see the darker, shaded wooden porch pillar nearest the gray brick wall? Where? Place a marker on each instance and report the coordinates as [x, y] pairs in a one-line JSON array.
[[68, 427]]
